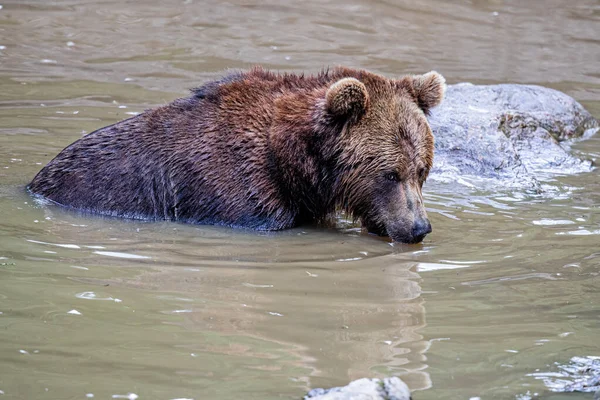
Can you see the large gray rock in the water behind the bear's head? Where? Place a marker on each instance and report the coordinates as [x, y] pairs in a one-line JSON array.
[[516, 134]]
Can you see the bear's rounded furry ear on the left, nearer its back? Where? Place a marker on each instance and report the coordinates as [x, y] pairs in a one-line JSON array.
[[347, 98]]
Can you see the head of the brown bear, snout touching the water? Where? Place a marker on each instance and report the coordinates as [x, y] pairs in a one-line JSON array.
[[385, 150]]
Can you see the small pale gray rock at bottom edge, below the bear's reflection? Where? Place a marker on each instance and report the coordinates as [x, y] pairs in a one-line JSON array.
[[364, 389]]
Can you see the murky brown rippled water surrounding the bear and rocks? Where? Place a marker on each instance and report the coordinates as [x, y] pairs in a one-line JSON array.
[[506, 285]]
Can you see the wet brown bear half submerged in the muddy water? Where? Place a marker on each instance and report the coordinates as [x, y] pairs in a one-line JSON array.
[[266, 151]]
